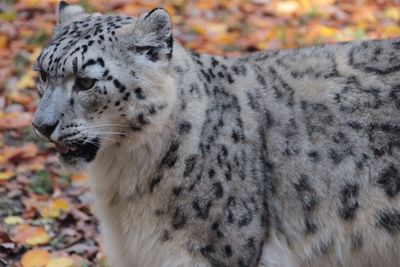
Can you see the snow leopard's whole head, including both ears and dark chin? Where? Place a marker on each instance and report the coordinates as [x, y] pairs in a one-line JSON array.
[[103, 79]]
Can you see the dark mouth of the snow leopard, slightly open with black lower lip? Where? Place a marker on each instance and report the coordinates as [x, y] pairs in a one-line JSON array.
[[79, 150]]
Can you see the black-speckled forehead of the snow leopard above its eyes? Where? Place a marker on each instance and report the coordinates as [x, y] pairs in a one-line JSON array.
[[75, 40]]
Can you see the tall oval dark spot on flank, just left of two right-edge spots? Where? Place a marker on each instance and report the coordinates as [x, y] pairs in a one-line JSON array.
[[348, 197]]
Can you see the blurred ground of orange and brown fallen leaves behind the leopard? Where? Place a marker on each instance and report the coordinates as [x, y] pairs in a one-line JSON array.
[[44, 214]]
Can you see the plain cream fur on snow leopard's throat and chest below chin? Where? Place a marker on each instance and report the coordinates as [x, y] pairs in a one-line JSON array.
[[132, 232]]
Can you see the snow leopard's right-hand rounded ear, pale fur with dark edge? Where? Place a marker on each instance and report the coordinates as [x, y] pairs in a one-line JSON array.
[[150, 34]]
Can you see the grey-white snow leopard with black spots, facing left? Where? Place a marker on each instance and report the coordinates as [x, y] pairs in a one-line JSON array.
[[275, 158]]
